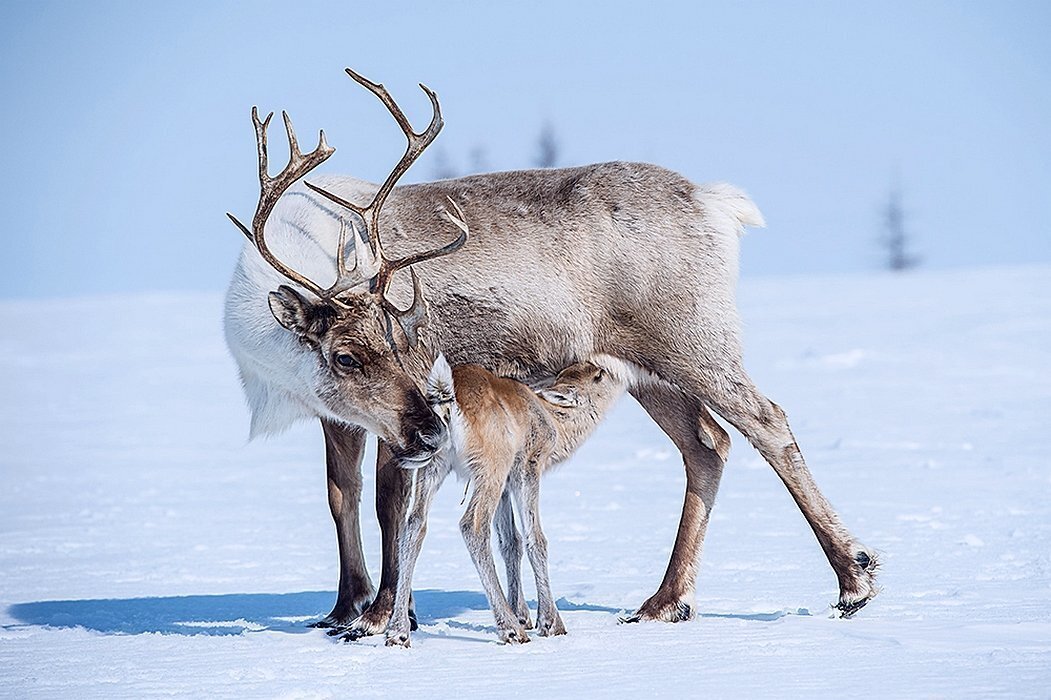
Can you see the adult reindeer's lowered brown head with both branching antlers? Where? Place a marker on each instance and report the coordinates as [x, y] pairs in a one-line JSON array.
[[370, 359]]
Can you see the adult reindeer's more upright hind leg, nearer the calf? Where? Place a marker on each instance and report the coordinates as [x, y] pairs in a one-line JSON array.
[[705, 446]]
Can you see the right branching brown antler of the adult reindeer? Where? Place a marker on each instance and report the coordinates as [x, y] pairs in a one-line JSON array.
[[381, 270]]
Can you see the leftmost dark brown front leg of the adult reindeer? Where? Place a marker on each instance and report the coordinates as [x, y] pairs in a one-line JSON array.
[[344, 449]]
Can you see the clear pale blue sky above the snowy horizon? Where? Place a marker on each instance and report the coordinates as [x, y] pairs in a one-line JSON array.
[[129, 135]]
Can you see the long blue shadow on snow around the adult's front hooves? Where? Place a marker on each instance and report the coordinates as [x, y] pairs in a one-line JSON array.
[[232, 614]]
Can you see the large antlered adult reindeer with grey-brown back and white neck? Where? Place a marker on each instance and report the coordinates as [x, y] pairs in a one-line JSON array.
[[621, 260]]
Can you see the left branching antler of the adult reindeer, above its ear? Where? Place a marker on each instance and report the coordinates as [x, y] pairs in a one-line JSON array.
[[273, 189]]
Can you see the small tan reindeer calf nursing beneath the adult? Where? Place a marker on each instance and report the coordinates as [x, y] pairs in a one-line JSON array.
[[502, 437]]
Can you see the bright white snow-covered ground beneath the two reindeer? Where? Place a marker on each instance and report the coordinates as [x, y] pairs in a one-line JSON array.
[[148, 550]]
